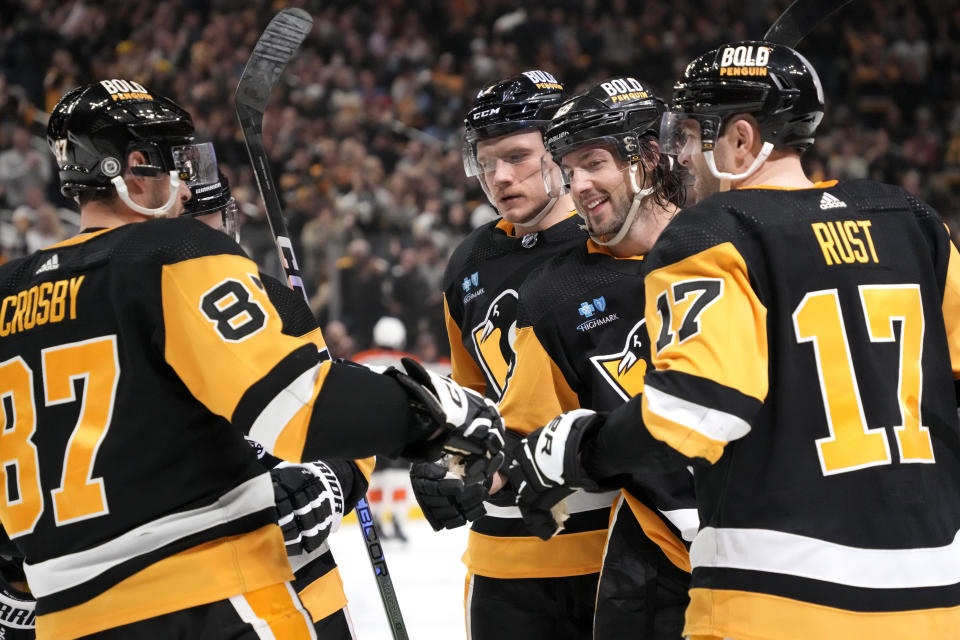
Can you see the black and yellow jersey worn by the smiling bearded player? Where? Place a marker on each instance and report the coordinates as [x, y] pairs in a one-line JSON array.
[[582, 338]]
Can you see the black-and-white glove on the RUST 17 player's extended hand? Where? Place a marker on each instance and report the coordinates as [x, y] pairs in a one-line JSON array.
[[548, 469]]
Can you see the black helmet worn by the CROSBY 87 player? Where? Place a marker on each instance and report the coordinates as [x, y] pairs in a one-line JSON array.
[[95, 127]]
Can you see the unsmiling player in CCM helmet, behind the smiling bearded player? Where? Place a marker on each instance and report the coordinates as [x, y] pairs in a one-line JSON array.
[[518, 586]]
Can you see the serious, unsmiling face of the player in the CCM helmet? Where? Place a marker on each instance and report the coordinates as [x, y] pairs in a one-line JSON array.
[[510, 174]]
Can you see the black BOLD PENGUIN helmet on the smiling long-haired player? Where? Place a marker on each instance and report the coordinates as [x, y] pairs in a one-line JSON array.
[[620, 111]]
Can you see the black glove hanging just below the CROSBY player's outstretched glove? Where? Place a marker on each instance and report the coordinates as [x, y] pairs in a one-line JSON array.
[[446, 502]]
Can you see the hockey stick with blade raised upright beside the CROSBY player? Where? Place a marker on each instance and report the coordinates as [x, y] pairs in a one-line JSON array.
[[275, 48]]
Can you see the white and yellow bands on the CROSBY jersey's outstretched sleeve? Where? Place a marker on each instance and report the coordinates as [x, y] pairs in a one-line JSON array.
[[282, 425]]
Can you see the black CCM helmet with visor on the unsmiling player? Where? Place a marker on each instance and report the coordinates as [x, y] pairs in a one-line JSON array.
[[524, 101]]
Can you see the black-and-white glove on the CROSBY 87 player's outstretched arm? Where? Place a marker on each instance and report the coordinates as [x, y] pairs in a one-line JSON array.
[[472, 426]]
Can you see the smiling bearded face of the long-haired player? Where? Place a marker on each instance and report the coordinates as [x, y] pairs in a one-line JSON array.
[[600, 187]]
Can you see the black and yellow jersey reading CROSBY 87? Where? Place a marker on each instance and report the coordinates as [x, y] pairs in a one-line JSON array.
[[123, 353]]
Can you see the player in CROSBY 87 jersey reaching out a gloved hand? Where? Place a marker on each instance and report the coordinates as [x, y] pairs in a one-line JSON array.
[[134, 359]]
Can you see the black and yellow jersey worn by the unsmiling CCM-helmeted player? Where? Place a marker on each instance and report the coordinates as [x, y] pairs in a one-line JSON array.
[[481, 294]]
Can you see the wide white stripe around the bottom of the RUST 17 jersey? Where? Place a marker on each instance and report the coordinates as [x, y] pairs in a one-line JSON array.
[[805, 557]]
